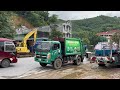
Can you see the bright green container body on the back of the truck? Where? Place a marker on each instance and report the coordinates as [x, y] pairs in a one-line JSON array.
[[71, 46]]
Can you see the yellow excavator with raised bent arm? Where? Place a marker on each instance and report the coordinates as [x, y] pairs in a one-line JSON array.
[[22, 47]]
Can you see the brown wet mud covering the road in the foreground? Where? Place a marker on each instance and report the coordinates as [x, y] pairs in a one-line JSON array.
[[84, 71]]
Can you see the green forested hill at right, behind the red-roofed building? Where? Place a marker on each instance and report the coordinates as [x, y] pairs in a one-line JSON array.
[[87, 28]]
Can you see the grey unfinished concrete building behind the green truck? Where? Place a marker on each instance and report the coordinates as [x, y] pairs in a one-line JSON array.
[[65, 28]]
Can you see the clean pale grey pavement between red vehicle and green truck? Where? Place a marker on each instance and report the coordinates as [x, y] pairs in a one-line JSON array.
[[24, 65]]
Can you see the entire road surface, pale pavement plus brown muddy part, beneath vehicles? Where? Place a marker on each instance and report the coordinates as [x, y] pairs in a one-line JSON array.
[[27, 68]]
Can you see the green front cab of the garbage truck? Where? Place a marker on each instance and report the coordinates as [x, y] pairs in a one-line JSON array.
[[47, 51]]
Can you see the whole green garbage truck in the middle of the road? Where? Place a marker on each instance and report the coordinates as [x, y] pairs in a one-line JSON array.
[[60, 51]]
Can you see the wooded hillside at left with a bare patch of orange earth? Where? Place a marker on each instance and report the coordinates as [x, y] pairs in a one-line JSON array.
[[10, 20]]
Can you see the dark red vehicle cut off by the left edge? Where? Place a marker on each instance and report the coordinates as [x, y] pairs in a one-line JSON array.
[[7, 52]]
